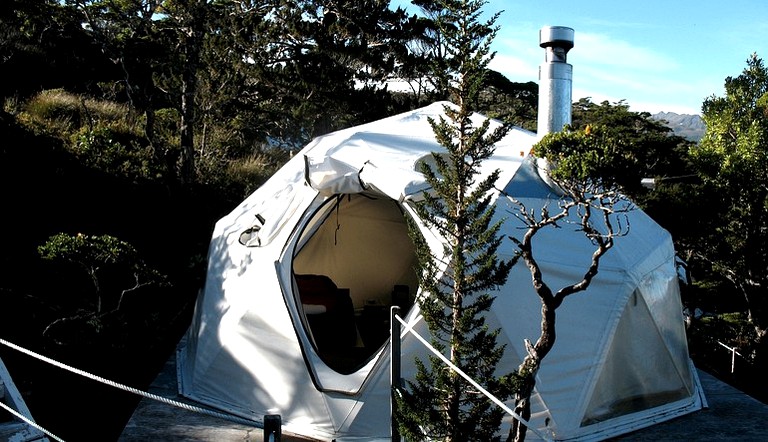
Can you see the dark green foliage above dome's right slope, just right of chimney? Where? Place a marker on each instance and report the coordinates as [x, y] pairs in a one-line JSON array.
[[633, 146]]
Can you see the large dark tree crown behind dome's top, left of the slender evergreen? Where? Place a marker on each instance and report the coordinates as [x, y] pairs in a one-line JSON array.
[[309, 67]]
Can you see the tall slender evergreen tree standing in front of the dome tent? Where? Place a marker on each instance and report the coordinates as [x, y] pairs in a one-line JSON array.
[[439, 403]]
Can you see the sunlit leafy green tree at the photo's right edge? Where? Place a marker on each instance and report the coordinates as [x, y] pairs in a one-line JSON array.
[[733, 162]]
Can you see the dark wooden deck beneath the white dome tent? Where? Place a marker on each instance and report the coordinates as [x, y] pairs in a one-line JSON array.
[[731, 416]]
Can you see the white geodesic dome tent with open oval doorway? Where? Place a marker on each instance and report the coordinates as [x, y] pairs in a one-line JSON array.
[[266, 338]]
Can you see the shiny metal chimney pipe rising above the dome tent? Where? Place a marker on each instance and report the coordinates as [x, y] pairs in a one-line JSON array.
[[555, 80]]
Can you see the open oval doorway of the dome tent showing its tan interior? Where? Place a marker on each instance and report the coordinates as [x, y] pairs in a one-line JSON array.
[[354, 261]]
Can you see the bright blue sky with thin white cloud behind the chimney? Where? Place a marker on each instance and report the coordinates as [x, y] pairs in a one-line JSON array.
[[658, 56]]
